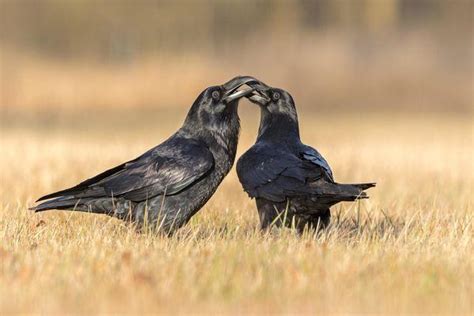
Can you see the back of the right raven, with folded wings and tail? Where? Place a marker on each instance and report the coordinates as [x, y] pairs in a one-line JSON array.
[[277, 173]]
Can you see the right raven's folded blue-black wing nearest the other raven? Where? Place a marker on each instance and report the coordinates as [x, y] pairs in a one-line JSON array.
[[275, 174]]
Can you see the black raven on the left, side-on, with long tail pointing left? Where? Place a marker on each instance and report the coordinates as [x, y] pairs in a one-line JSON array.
[[168, 184]]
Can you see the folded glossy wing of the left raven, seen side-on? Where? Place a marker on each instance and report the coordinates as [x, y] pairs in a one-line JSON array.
[[166, 169]]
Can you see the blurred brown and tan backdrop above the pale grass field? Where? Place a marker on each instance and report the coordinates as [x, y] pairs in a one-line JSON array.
[[63, 57]]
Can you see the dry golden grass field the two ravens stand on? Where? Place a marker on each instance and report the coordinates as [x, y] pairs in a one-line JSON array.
[[407, 249]]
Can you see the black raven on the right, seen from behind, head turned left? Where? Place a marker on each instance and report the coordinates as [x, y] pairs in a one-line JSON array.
[[291, 182]]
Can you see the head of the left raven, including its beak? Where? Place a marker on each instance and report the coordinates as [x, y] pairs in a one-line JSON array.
[[216, 105]]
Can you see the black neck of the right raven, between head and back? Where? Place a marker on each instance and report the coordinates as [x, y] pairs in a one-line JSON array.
[[278, 127]]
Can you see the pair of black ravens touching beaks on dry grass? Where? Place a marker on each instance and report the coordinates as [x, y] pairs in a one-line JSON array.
[[291, 182]]
